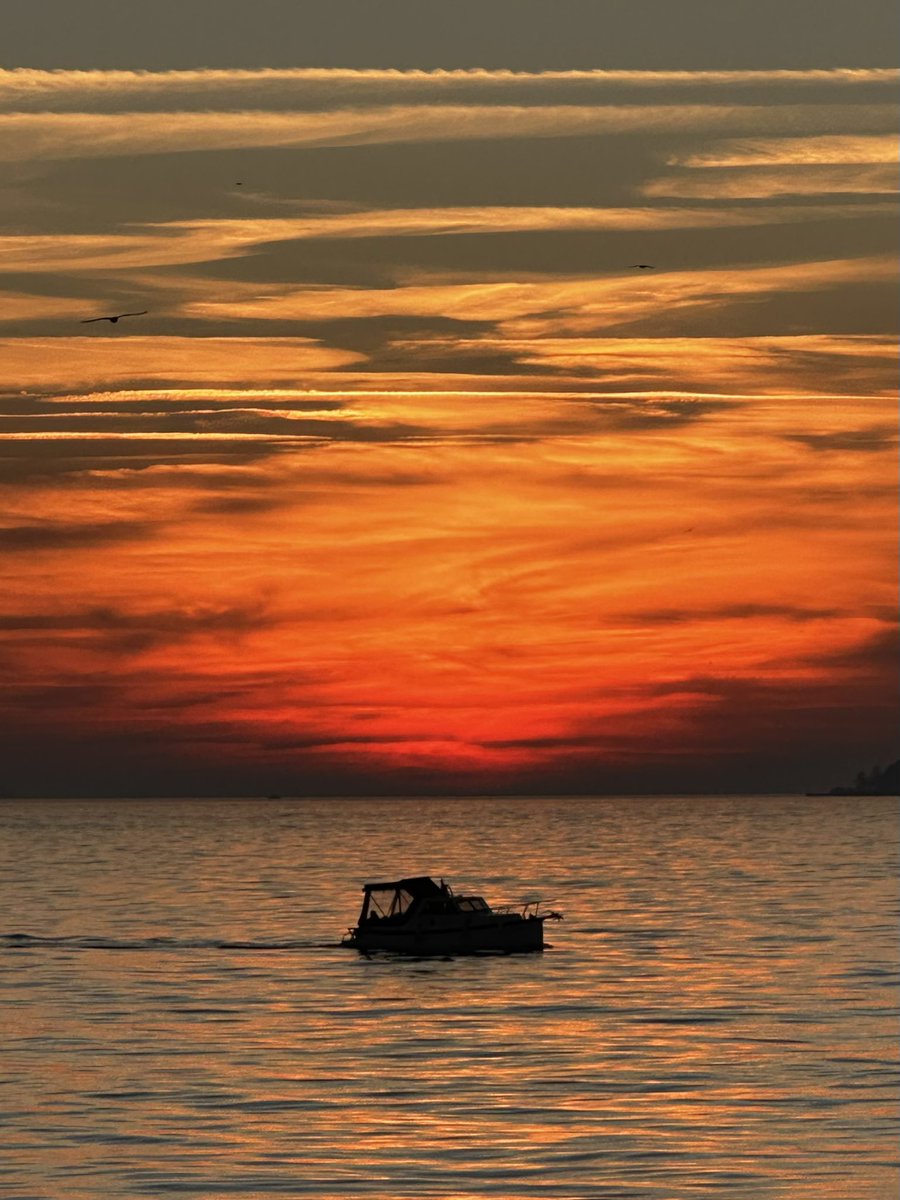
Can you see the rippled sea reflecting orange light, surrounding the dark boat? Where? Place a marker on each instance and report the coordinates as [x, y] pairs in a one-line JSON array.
[[717, 1015]]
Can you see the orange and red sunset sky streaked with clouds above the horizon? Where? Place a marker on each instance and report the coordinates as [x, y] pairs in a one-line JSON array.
[[410, 481]]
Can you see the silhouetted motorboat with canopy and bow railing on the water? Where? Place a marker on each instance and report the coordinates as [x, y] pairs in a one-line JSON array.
[[418, 916]]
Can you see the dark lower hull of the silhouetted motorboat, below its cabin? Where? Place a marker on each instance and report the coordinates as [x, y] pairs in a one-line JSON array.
[[513, 937]]
